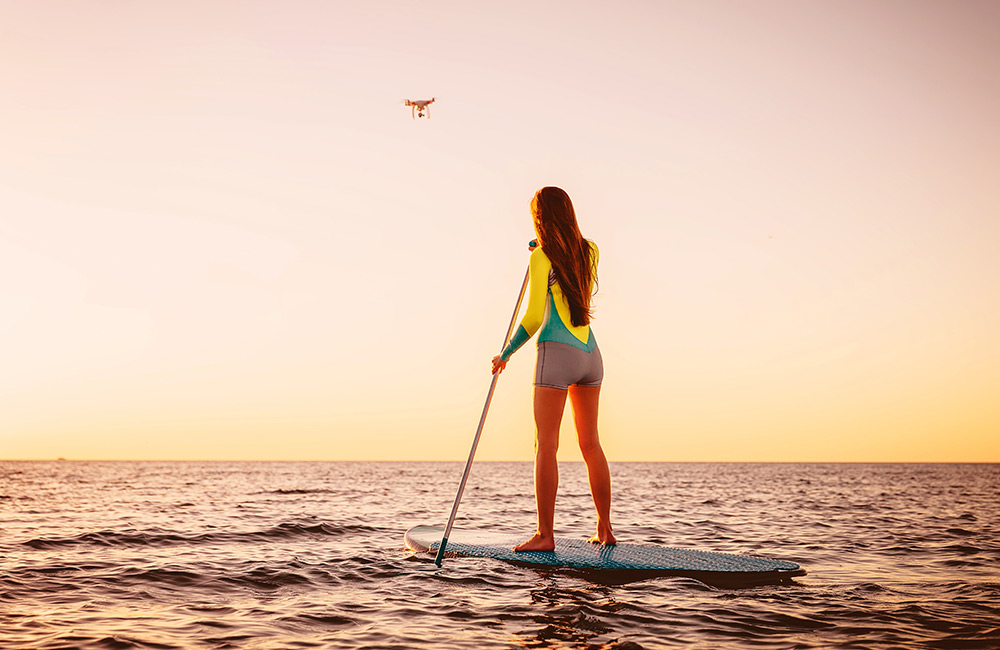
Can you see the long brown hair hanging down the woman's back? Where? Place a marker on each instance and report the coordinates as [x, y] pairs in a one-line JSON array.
[[570, 254]]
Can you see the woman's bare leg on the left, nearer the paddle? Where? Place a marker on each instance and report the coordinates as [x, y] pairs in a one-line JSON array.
[[549, 406]]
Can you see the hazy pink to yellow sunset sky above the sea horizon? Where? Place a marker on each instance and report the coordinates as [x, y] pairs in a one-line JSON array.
[[223, 235]]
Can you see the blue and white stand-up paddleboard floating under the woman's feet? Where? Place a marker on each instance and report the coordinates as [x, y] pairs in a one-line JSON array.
[[626, 558]]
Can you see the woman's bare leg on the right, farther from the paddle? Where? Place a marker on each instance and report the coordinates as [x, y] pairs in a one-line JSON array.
[[585, 402]]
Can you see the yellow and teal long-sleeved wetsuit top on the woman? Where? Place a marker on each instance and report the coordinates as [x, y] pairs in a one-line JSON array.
[[549, 309]]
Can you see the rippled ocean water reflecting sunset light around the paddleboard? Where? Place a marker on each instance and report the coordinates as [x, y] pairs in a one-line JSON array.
[[310, 555]]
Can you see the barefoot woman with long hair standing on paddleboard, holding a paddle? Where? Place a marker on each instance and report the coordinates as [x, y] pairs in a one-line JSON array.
[[562, 272]]
